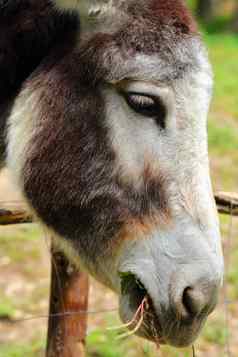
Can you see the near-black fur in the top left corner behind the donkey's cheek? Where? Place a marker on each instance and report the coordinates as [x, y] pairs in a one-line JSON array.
[[28, 30]]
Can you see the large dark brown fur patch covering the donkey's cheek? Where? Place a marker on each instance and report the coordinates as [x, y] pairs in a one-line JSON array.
[[68, 176]]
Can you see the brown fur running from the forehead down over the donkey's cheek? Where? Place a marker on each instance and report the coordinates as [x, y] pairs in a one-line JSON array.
[[68, 173]]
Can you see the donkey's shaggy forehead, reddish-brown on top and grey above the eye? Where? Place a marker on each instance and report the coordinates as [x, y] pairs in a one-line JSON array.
[[118, 41]]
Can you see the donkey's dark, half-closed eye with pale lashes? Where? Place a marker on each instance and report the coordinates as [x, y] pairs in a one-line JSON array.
[[149, 106]]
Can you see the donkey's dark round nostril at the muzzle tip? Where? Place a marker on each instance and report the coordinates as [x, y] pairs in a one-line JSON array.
[[193, 301]]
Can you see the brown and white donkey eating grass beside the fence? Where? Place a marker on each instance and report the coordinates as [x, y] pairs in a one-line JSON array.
[[104, 130]]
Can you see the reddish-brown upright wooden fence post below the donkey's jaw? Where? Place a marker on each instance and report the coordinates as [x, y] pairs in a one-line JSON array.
[[68, 309]]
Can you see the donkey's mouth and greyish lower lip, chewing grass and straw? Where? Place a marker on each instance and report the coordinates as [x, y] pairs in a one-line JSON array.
[[138, 313]]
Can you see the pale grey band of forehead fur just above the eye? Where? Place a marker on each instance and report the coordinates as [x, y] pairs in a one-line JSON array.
[[163, 66]]
